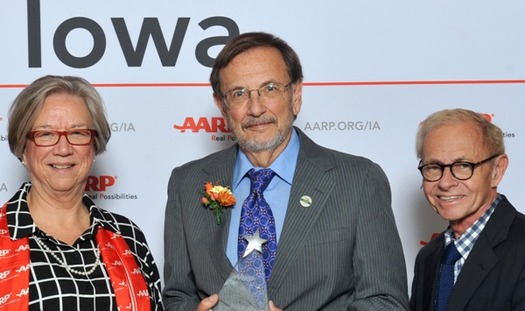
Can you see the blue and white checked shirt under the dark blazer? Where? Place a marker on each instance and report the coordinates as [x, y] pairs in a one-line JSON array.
[[466, 241]]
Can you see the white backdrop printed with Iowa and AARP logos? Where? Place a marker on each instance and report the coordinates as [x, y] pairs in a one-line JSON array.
[[373, 70]]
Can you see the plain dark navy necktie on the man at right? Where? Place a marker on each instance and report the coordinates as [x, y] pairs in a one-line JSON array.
[[446, 277]]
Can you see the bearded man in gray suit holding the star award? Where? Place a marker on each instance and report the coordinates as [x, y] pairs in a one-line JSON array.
[[337, 243]]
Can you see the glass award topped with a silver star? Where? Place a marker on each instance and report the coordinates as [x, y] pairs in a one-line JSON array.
[[245, 288]]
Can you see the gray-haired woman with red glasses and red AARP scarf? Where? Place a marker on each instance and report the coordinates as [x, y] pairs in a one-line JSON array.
[[59, 250]]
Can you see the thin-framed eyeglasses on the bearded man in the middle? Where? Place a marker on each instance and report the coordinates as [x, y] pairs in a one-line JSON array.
[[268, 93]]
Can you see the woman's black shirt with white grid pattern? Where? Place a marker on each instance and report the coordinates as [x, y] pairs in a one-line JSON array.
[[51, 286]]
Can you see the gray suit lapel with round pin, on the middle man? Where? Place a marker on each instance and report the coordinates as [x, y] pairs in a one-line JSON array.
[[310, 179]]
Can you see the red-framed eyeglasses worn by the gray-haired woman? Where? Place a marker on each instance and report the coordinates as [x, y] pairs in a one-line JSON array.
[[76, 137]]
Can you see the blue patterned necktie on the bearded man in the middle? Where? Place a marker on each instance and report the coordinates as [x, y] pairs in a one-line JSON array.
[[256, 214]]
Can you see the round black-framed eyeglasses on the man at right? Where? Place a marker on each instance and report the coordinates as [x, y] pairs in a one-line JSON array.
[[461, 170]]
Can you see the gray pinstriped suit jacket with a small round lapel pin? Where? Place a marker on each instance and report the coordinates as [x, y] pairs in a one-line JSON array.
[[341, 253]]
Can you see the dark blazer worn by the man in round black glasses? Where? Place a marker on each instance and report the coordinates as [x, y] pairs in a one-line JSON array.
[[493, 276]]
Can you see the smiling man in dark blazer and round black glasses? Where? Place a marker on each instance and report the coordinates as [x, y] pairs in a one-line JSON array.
[[463, 161]]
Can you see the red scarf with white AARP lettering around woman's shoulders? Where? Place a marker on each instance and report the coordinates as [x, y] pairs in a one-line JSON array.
[[129, 286]]
